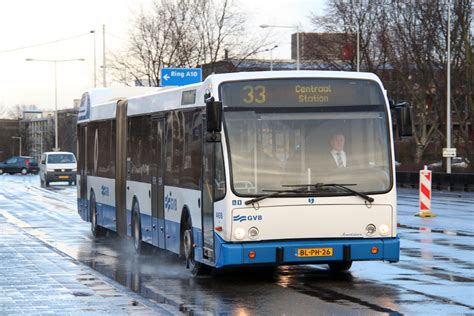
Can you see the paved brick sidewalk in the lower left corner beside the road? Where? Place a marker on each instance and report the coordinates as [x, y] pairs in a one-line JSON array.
[[36, 279]]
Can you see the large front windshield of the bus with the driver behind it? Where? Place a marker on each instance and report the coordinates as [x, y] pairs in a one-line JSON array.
[[280, 145]]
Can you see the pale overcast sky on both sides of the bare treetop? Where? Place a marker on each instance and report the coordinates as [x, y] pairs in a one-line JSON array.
[[25, 23]]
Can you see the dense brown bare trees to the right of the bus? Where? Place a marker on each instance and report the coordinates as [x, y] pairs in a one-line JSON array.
[[405, 43]]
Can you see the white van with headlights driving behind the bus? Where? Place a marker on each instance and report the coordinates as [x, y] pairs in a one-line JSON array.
[[57, 166]]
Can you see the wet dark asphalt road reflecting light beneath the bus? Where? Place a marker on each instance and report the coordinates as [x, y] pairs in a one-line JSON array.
[[434, 276]]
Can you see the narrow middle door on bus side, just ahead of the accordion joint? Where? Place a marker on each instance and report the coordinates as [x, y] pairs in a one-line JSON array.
[[157, 182]]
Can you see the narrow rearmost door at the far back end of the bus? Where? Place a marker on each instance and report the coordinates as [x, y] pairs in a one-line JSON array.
[[82, 159]]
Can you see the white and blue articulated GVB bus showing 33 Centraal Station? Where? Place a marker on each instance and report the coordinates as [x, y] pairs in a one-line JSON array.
[[238, 170]]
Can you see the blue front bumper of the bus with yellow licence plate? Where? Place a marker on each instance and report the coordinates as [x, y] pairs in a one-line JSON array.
[[290, 252]]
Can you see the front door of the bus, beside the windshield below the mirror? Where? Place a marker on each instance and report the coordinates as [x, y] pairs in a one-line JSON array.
[[208, 182]]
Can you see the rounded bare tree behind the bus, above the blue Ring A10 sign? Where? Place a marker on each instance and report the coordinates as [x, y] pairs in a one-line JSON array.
[[182, 33]]
